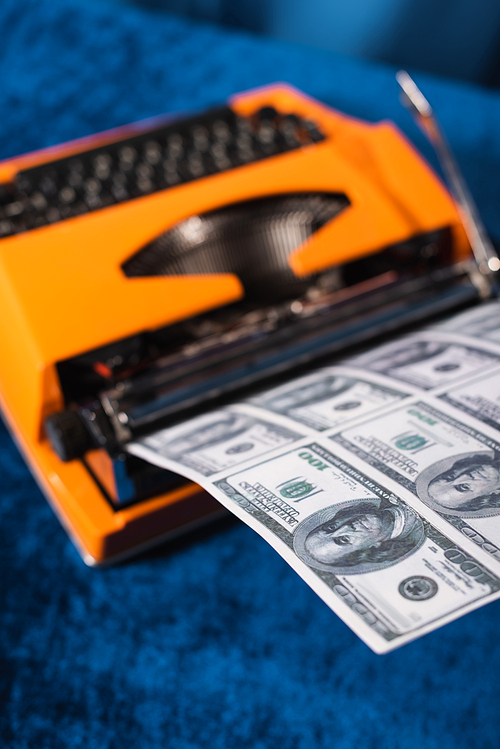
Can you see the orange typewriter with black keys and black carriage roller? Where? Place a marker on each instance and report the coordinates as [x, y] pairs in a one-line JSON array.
[[153, 271]]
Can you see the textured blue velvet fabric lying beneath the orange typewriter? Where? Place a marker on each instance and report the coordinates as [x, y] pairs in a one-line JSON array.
[[213, 642]]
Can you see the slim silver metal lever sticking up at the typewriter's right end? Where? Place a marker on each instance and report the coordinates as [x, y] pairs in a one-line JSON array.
[[484, 253]]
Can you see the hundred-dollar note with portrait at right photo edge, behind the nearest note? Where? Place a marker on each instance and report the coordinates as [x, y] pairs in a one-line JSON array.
[[451, 466]]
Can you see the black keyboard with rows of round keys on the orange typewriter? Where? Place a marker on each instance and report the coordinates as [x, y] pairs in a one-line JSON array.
[[146, 163]]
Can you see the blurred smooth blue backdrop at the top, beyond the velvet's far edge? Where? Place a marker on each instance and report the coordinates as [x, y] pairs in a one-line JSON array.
[[454, 38]]
